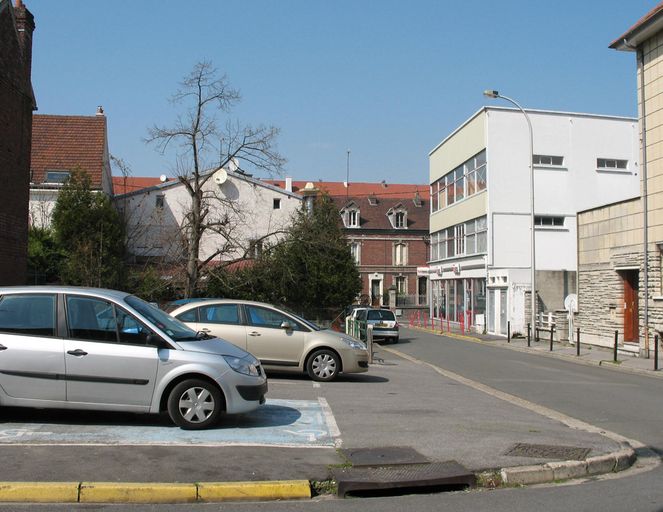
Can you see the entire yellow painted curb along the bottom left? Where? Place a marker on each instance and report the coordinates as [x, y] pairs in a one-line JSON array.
[[132, 492]]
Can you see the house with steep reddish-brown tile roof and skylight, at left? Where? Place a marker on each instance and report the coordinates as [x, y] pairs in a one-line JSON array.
[[61, 144]]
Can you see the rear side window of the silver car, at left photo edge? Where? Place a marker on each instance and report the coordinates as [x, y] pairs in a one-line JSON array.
[[28, 314]]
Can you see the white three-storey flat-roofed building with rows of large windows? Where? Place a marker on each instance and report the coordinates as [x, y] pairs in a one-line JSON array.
[[480, 259]]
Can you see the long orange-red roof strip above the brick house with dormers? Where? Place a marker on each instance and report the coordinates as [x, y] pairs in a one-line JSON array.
[[338, 188]]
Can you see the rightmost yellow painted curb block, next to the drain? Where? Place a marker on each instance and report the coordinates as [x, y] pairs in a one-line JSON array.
[[276, 490]]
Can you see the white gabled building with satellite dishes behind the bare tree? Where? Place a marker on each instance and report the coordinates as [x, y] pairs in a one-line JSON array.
[[243, 214]]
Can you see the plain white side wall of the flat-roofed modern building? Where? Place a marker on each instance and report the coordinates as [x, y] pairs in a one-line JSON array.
[[560, 192]]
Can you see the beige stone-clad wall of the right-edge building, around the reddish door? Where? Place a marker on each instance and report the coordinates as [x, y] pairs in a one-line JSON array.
[[613, 236]]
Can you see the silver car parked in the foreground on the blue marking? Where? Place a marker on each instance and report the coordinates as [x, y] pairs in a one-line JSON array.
[[86, 348]]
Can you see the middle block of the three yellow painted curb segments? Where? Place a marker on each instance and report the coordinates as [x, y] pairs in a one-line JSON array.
[[129, 492]]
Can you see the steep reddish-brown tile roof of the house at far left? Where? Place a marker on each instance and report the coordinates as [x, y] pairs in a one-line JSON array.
[[66, 143]]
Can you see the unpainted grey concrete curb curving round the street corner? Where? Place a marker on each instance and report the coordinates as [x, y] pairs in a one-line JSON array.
[[570, 469]]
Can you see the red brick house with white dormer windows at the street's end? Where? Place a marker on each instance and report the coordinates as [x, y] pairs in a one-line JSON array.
[[387, 229]]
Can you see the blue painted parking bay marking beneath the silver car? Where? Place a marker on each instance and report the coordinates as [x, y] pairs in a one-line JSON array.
[[297, 423]]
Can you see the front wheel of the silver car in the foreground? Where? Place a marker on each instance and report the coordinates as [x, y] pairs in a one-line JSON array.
[[195, 404]]
